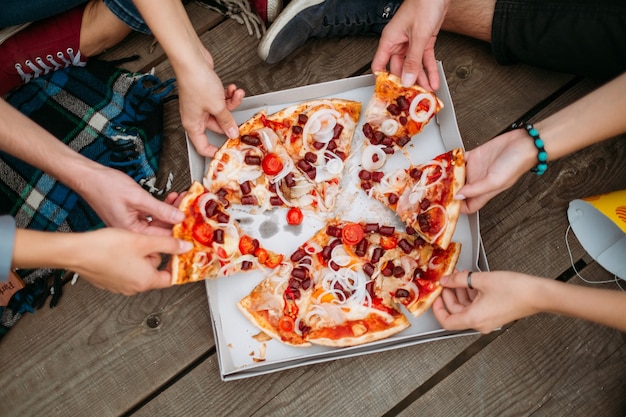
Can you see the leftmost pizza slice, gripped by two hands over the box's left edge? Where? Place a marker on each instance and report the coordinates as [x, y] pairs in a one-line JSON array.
[[219, 246]]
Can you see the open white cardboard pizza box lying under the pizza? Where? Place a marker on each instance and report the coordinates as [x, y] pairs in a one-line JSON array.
[[240, 354]]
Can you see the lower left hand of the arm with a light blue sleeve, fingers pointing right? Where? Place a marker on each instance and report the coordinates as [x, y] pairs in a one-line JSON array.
[[124, 262]]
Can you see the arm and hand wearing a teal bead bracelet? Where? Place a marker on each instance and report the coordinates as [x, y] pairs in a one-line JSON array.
[[498, 164]]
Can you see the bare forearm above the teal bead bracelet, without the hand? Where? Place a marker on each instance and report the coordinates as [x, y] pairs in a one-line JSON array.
[[594, 118]]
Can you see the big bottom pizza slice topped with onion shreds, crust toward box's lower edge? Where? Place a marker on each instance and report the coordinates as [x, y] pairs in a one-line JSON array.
[[327, 296]]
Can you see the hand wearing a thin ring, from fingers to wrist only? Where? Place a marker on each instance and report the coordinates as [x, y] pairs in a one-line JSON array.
[[498, 298]]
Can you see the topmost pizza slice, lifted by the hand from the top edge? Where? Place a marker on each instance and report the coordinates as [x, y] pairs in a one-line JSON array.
[[395, 114]]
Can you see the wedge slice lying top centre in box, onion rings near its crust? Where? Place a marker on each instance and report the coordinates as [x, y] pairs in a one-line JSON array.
[[318, 137]]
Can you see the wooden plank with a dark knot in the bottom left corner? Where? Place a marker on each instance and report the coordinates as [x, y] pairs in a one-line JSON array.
[[95, 352]]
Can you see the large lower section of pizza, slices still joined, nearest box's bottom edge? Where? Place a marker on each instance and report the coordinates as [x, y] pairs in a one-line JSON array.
[[344, 286]]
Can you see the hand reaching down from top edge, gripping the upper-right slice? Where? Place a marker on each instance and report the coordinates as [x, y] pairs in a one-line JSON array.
[[408, 43]]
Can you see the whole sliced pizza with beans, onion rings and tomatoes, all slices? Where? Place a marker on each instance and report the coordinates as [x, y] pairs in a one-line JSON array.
[[352, 282]]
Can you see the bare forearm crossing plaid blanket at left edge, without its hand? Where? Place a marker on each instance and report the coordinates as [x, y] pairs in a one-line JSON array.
[[27, 141]]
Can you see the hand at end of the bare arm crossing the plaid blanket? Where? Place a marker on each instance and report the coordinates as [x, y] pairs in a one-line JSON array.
[[121, 202]]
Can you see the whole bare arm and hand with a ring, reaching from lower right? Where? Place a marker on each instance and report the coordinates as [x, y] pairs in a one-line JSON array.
[[500, 297]]
